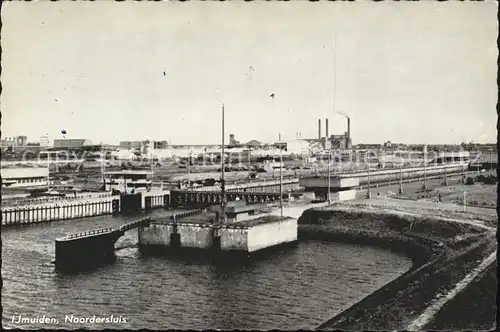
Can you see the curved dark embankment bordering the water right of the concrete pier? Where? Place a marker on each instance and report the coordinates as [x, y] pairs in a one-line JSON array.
[[442, 250]]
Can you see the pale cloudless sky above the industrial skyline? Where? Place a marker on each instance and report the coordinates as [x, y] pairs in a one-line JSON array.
[[418, 72]]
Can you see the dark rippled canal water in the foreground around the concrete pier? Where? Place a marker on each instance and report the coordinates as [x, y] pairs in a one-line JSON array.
[[290, 289]]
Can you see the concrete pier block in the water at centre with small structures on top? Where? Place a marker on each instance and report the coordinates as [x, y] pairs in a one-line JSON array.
[[246, 231]]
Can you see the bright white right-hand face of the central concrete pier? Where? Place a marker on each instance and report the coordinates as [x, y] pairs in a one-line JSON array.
[[271, 234]]
